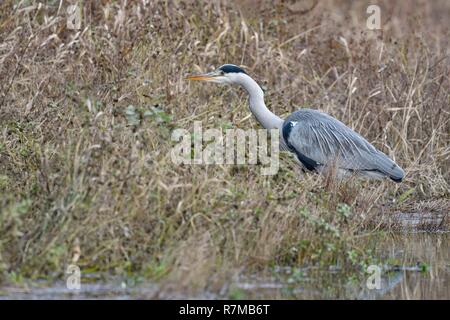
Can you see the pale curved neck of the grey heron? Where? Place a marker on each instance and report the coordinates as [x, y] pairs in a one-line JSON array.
[[256, 100]]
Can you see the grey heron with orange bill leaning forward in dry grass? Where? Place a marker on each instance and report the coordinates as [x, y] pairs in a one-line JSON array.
[[317, 139]]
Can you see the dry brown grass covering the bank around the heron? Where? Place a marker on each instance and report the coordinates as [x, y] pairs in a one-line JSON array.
[[79, 167]]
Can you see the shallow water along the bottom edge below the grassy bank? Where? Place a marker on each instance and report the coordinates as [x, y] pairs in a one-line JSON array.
[[415, 266]]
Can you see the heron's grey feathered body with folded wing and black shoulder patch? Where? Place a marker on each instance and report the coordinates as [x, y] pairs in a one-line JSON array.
[[318, 139]]
